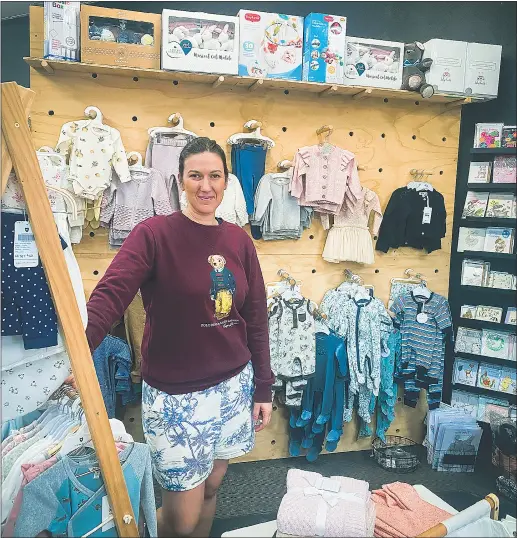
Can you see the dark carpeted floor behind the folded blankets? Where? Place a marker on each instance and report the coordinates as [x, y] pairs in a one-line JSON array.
[[251, 492]]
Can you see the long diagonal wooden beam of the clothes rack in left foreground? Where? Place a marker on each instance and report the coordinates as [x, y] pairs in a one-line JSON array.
[[18, 153]]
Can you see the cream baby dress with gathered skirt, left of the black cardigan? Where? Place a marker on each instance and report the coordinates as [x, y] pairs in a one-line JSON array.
[[350, 239]]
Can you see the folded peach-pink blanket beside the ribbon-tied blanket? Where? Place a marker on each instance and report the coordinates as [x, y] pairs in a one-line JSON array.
[[401, 512]]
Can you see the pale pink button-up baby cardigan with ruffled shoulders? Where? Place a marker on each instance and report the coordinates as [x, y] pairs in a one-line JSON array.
[[325, 180]]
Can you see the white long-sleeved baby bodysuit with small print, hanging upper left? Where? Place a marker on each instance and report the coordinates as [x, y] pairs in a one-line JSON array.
[[92, 149]]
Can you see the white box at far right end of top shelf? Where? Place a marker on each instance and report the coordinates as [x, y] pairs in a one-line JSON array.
[[482, 69]]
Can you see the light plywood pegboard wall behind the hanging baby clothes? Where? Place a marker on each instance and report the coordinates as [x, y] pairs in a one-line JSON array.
[[388, 136]]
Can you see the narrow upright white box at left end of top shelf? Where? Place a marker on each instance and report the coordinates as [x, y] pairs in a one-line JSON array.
[[62, 30]]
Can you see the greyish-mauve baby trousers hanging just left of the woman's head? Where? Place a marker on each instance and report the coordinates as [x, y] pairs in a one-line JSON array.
[[163, 154]]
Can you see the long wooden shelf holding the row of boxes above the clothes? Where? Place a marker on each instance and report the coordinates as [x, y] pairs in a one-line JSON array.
[[49, 67]]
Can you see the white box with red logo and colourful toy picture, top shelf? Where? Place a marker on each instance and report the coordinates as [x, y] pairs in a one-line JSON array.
[[270, 45]]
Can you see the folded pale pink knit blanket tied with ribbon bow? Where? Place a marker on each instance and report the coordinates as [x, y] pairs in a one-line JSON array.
[[319, 506]]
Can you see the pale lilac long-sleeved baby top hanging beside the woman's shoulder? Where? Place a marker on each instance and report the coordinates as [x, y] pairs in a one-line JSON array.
[[124, 205]]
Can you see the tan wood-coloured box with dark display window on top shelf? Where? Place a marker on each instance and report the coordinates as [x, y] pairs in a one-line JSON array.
[[119, 37]]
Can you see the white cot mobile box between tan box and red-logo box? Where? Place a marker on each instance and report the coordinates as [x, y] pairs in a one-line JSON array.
[[199, 42]]
